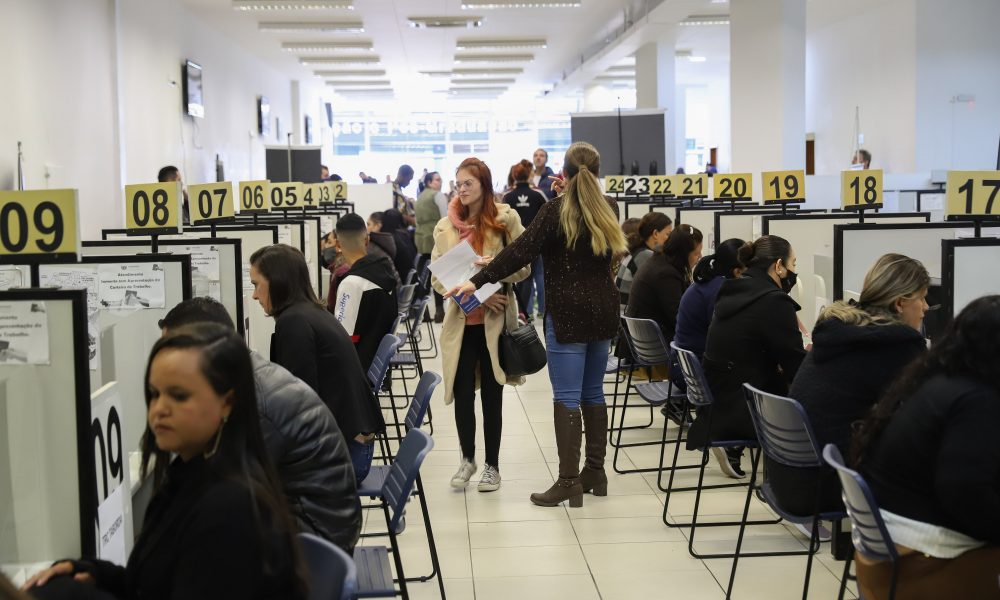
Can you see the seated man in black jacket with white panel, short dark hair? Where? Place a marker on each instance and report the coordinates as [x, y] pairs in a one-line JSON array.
[[366, 298]]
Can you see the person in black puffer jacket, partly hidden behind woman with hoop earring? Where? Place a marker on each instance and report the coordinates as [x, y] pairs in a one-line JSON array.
[[302, 438]]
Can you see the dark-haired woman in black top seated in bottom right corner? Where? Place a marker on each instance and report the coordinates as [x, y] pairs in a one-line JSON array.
[[930, 452]]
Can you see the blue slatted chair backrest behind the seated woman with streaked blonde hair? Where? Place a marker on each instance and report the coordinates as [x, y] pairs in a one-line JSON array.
[[783, 429]]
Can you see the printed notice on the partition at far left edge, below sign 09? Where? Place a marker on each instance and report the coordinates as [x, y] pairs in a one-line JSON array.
[[24, 333]]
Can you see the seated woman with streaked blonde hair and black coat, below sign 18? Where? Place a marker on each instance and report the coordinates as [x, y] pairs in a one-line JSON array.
[[858, 349]]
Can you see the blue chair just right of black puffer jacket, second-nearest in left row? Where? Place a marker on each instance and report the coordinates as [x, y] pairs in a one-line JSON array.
[[374, 569]]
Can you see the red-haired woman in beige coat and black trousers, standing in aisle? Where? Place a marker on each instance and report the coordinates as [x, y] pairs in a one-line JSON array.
[[469, 342]]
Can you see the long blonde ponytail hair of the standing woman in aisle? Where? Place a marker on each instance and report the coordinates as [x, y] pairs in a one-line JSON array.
[[584, 202]]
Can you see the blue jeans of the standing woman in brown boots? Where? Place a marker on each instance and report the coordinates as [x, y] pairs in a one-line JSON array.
[[576, 371]]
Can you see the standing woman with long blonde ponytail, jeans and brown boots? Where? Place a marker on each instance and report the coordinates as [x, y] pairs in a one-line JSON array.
[[577, 235]]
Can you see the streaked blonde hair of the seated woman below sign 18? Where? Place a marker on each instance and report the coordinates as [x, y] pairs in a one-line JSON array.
[[893, 276]]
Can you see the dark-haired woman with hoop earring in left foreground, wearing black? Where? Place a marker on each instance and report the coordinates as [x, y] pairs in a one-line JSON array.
[[217, 526]]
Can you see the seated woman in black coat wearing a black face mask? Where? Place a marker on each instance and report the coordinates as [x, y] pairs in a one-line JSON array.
[[754, 338]]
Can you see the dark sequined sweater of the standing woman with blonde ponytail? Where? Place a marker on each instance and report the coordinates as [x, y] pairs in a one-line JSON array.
[[580, 292]]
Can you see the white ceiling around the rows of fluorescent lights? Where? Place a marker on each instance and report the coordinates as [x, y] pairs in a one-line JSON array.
[[404, 51]]
